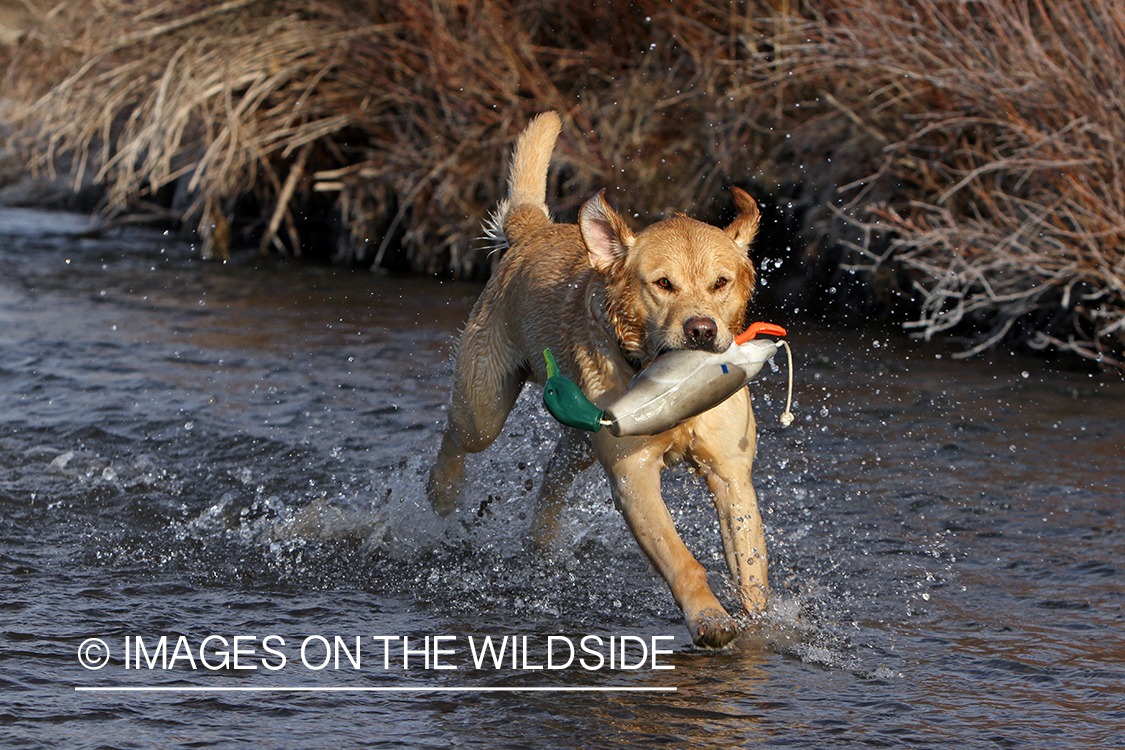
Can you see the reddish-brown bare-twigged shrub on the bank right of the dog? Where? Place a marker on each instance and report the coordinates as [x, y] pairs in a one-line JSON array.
[[1001, 183]]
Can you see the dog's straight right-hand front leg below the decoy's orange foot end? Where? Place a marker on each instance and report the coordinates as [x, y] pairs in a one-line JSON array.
[[723, 448]]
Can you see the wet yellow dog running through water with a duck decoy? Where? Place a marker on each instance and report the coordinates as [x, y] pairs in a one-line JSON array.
[[607, 302]]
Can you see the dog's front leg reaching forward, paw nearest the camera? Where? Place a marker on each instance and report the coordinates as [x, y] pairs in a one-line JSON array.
[[635, 466]]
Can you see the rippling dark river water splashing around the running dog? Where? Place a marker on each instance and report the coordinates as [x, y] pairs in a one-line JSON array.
[[209, 454]]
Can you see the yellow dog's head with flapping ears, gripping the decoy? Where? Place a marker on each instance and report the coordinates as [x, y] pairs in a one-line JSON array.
[[680, 284]]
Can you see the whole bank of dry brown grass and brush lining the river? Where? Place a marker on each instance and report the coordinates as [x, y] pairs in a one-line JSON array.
[[966, 156]]
